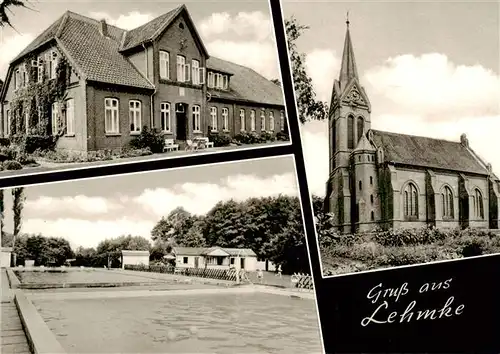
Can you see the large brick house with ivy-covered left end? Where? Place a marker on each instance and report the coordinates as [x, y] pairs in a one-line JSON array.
[[158, 75]]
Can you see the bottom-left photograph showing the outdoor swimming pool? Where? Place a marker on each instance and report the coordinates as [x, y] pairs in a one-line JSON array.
[[204, 259]]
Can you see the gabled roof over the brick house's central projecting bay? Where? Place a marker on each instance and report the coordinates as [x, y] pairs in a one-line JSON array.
[[154, 28]]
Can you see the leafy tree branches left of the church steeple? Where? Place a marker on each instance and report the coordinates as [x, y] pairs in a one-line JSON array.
[[307, 105]]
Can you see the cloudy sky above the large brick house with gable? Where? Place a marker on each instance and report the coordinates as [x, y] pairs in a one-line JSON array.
[[239, 31]]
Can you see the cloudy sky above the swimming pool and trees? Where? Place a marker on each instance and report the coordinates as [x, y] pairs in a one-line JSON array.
[[88, 211]]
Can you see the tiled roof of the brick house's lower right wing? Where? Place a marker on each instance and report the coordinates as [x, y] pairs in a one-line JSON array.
[[246, 84]]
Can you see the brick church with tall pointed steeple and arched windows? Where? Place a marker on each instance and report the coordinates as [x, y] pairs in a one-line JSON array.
[[384, 180]]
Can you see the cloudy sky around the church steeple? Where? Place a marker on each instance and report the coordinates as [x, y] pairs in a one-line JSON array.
[[429, 69]]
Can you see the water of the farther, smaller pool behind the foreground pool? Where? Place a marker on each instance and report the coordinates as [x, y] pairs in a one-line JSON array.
[[80, 276]]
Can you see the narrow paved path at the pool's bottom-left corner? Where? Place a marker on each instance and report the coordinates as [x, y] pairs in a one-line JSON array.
[[12, 340]]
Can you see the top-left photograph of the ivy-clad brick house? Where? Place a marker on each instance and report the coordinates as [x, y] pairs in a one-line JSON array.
[[93, 83]]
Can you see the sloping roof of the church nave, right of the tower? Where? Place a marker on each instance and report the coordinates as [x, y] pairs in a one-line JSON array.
[[427, 152]]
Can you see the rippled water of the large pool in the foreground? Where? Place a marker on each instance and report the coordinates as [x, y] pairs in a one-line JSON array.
[[222, 323]]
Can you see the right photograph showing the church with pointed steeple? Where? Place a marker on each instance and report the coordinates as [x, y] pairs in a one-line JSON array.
[[400, 117]]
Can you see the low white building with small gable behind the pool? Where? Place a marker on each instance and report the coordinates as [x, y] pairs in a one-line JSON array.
[[215, 258]]
